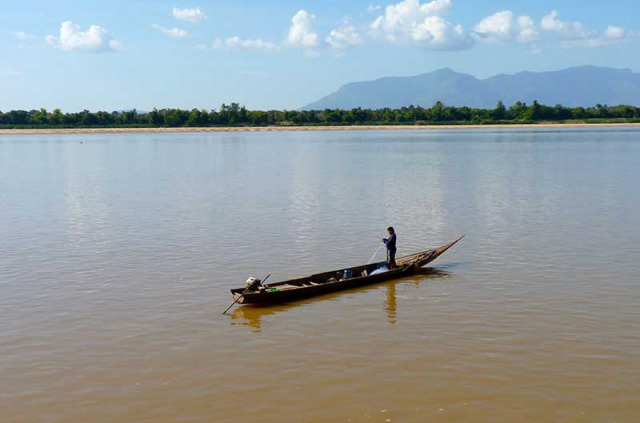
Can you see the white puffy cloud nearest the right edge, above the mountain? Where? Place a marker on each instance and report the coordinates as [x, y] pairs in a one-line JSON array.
[[574, 34]]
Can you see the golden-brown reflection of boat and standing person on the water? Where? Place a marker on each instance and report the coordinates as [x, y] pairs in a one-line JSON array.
[[251, 315]]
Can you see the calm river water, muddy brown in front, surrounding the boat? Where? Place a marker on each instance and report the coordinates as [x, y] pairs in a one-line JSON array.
[[117, 252]]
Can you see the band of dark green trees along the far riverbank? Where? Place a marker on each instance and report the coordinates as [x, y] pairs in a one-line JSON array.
[[235, 115]]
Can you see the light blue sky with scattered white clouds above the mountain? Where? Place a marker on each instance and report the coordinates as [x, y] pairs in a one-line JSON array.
[[112, 55]]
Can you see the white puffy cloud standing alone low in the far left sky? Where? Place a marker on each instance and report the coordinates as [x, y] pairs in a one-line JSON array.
[[96, 39]]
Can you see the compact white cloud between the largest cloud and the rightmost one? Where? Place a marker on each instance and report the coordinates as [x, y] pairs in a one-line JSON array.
[[505, 27]]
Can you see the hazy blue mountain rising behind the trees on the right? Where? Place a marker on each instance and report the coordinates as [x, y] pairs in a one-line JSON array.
[[573, 87]]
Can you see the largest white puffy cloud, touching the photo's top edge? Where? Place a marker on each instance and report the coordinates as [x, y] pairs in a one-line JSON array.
[[422, 24]]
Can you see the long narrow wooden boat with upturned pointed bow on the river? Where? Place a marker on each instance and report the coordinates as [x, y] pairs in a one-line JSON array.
[[323, 283]]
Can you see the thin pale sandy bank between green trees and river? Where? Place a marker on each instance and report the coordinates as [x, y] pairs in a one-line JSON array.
[[301, 128]]
